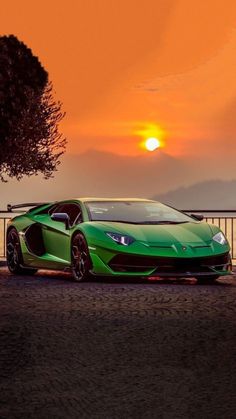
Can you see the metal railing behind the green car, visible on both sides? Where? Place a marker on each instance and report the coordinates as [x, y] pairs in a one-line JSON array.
[[225, 219]]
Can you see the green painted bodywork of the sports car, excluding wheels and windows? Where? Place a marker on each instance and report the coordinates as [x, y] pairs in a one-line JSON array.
[[188, 242]]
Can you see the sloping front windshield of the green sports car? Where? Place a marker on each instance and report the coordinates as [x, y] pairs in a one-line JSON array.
[[135, 212]]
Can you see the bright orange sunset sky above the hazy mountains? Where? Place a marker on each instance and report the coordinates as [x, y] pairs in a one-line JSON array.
[[120, 67]]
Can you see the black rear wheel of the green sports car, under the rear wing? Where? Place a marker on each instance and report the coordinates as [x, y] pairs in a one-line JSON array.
[[14, 255]]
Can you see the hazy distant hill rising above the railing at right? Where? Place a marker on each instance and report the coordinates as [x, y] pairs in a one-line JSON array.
[[214, 194]]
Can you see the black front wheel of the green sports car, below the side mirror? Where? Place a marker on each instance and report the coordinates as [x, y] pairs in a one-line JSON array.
[[80, 258]]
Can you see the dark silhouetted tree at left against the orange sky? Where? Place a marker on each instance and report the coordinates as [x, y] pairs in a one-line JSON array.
[[30, 141]]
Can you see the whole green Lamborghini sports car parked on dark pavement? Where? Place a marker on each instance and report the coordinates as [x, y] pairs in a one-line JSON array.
[[115, 237]]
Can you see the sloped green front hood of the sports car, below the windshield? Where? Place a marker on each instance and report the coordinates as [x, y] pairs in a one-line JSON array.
[[192, 232]]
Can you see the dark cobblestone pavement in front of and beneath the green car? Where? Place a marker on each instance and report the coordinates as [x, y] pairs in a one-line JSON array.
[[105, 349]]
